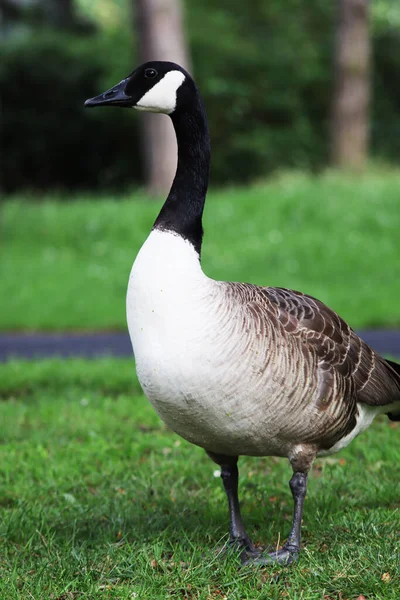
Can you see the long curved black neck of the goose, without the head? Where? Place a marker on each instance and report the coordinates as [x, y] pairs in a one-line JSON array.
[[183, 209]]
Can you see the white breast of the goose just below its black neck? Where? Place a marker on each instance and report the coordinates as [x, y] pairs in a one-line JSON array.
[[167, 310]]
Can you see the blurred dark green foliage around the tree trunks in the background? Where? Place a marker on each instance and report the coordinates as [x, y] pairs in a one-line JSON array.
[[265, 72]]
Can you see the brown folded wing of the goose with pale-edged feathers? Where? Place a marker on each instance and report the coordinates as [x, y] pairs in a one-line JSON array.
[[341, 353]]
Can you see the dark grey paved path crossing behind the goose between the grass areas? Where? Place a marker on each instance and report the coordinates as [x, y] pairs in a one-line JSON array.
[[92, 345]]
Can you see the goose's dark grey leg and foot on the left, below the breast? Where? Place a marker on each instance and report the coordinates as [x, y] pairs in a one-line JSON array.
[[230, 479]]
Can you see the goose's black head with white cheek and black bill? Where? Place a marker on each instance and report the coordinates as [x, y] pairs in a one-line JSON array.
[[156, 86]]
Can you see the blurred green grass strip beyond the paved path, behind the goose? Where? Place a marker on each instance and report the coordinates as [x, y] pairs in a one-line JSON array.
[[65, 265]]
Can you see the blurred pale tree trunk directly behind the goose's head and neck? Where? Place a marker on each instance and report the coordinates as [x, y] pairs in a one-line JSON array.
[[161, 37]]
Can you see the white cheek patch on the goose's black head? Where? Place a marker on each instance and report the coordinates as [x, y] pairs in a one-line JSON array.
[[162, 97]]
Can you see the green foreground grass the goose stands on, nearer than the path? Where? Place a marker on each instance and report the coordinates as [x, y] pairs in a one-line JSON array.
[[99, 500]]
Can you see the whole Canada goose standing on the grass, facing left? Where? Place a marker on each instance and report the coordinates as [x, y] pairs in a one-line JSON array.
[[231, 367]]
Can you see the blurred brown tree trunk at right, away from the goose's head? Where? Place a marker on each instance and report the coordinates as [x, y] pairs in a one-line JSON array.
[[350, 110]]
